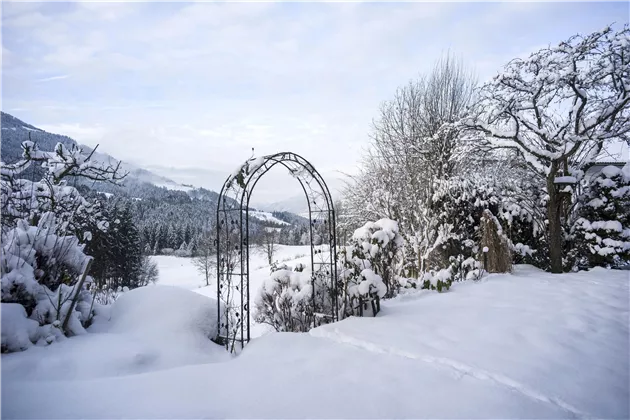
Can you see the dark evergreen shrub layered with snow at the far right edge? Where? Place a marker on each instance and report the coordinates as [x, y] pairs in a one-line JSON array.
[[601, 232]]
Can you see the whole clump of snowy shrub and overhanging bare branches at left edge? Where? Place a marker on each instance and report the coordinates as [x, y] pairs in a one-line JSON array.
[[45, 224]]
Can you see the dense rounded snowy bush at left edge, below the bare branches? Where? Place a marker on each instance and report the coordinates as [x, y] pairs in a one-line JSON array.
[[39, 270]]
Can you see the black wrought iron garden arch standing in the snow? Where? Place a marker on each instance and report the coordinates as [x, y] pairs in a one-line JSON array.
[[232, 243]]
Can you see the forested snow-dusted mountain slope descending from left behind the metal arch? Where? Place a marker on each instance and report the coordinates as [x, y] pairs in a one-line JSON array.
[[168, 214]]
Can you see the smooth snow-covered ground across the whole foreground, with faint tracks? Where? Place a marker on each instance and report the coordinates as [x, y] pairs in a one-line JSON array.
[[527, 345]]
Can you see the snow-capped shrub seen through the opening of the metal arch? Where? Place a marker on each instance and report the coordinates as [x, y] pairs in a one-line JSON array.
[[285, 301]]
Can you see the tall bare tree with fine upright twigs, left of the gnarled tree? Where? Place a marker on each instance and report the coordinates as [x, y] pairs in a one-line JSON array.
[[414, 143]]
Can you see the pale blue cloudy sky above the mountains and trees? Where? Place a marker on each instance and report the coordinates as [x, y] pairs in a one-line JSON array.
[[187, 89]]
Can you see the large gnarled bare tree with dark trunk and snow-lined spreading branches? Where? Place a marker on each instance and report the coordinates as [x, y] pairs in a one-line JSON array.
[[557, 109]]
